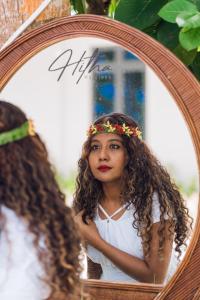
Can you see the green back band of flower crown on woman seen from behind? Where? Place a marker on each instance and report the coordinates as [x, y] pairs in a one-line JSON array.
[[18, 133]]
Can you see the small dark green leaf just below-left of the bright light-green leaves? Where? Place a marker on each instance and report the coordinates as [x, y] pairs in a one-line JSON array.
[[167, 34]]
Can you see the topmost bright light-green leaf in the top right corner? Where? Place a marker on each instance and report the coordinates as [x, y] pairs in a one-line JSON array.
[[173, 8]]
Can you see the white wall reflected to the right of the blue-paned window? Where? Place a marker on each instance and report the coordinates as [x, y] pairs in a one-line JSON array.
[[167, 132]]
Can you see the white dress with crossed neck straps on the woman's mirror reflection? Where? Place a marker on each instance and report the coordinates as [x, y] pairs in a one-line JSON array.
[[121, 234]]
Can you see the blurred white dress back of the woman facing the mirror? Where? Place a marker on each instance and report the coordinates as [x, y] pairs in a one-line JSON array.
[[20, 268]]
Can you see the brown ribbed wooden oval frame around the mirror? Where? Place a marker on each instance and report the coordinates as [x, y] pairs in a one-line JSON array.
[[185, 90]]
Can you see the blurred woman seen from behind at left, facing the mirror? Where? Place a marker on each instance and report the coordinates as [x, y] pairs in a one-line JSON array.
[[39, 246]]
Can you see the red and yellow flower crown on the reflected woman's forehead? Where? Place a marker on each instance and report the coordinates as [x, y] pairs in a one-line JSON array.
[[115, 128]]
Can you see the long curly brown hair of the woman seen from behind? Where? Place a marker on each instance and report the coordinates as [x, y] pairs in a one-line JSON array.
[[28, 187]]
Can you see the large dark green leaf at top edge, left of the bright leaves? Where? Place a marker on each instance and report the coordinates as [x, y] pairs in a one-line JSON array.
[[140, 14]]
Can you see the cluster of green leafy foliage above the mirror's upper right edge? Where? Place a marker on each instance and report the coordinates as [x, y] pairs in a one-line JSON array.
[[174, 23]]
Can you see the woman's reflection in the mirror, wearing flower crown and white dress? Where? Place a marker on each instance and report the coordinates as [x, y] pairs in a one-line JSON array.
[[128, 210]]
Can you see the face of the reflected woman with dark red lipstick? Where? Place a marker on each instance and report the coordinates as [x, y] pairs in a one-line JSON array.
[[107, 157]]
